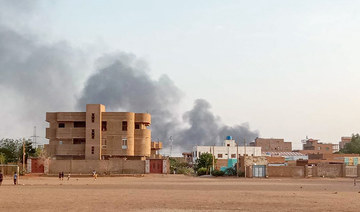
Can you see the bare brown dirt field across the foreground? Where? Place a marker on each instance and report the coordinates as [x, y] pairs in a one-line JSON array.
[[179, 193]]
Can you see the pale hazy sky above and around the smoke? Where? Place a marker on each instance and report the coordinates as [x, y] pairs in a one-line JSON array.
[[288, 68]]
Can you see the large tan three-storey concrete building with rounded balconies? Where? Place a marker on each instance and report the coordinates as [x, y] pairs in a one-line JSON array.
[[98, 135]]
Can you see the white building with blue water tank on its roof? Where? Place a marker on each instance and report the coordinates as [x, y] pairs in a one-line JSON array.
[[227, 151]]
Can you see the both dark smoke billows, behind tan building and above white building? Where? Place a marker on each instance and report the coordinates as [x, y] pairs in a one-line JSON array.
[[124, 84]]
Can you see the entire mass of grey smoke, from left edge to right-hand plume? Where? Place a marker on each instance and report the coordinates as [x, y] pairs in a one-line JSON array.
[[46, 77]]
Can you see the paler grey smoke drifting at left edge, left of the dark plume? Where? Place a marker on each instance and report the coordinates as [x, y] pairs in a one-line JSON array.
[[35, 77]]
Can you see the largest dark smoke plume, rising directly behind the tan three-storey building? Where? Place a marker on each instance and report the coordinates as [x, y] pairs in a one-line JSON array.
[[124, 84]]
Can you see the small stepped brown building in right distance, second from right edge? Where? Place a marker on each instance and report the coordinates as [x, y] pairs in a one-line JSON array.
[[312, 146]]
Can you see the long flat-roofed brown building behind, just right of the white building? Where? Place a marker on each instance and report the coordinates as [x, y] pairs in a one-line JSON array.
[[272, 145]]
